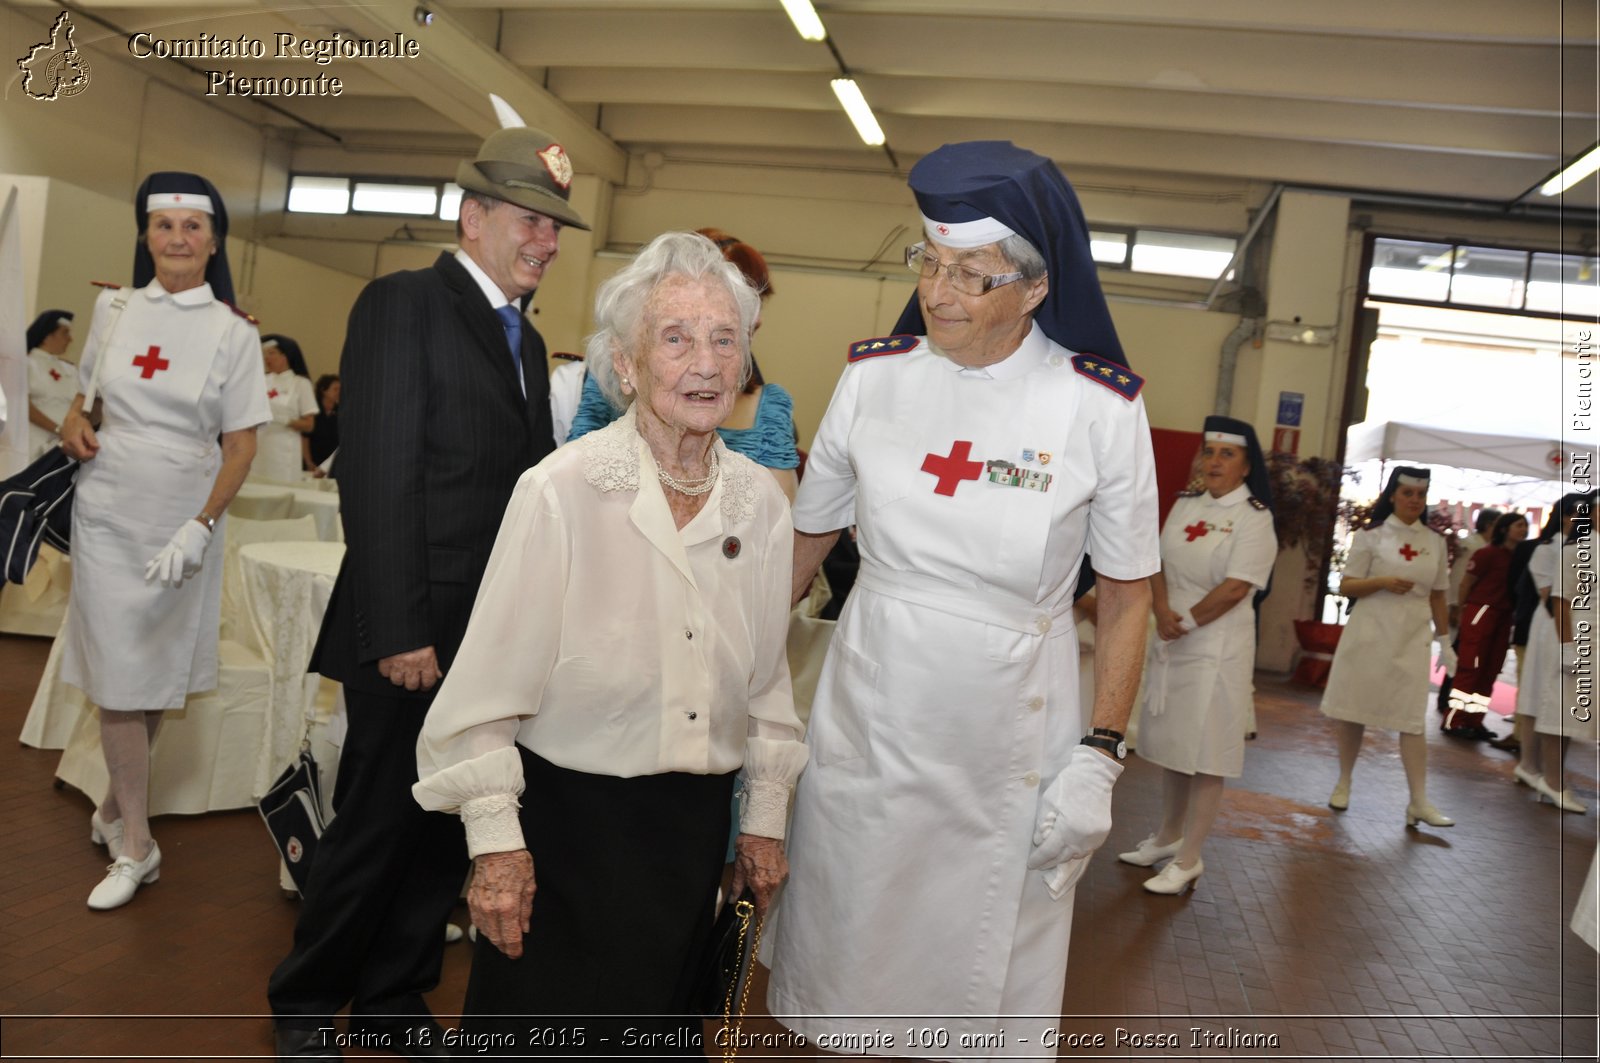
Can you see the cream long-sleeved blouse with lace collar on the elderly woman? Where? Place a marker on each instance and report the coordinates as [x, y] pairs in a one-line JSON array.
[[609, 641]]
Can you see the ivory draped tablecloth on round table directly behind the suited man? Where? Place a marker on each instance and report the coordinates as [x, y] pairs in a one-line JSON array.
[[287, 590]]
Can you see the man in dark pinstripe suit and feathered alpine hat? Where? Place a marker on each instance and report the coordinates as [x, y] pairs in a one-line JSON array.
[[446, 406]]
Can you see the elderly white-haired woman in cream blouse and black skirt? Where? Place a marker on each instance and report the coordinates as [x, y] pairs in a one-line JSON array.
[[625, 659]]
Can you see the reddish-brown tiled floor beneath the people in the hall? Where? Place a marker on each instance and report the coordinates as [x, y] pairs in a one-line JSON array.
[[1311, 936]]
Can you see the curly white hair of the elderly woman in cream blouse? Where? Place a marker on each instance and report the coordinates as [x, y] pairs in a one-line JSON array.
[[620, 303]]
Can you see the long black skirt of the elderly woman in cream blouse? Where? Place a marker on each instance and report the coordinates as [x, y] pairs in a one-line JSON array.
[[626, 876]]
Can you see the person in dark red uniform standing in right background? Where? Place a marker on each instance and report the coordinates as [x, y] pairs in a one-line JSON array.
[[1486, 628]]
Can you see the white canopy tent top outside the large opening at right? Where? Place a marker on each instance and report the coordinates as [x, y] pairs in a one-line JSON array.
[[1538, 459]]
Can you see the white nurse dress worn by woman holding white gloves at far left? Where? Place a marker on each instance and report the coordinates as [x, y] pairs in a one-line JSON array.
[[180, 371]]
